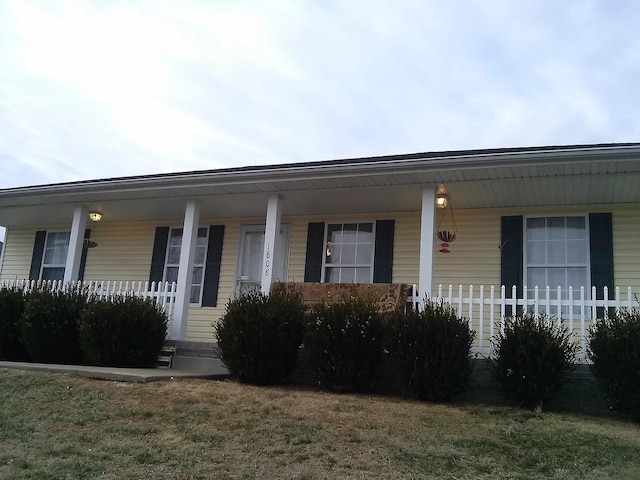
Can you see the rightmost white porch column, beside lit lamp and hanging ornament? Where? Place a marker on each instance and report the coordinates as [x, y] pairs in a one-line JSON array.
[[427, 227]]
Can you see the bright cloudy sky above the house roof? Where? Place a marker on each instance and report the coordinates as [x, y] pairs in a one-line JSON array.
[[97, 88]]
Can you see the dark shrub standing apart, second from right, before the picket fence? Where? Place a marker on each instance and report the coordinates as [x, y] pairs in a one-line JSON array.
[[531, 359]]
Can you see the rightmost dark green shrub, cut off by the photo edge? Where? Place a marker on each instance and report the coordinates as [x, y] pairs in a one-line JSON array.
[[614, 349]]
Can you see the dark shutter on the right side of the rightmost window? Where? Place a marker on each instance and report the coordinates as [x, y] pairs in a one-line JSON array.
[[601, 253]]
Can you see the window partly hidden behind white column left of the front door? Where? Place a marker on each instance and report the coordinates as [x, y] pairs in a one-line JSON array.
[[172, 262]]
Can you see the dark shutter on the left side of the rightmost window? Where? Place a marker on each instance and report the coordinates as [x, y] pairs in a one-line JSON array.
[[511, 251]]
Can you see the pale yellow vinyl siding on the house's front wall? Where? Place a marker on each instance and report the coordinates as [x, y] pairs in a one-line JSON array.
[[124, 252]]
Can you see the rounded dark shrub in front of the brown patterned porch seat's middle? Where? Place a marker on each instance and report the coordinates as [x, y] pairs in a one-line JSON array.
[[345, 343]]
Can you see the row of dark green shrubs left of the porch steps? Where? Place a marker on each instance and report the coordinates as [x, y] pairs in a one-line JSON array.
[[71, 327]]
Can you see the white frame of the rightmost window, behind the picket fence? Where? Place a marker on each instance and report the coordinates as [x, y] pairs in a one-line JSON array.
[[586, 265]]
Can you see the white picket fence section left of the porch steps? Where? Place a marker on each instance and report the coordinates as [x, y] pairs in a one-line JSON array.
[[162, 293]]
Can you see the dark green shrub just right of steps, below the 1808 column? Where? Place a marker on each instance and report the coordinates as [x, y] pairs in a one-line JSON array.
[[259, 335]]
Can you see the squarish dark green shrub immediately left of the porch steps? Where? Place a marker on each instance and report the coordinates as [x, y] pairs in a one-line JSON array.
[[125, 331]]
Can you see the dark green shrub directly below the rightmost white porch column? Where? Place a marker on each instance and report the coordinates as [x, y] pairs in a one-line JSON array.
[[432, 349]]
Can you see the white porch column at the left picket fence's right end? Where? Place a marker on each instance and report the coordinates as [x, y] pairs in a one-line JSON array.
[[185, 270]]
